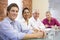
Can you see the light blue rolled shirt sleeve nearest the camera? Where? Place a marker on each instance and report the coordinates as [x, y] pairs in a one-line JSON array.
[[10, 32]]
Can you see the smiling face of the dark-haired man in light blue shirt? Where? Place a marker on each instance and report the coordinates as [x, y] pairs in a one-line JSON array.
[[12, 14]]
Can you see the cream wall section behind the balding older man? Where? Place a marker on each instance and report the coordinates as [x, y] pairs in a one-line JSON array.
[[42, 5]]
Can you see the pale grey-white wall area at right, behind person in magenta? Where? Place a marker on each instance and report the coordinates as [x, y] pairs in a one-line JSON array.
[[54, 7]]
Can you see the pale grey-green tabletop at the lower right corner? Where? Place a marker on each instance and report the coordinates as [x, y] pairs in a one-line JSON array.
[[51, 35]]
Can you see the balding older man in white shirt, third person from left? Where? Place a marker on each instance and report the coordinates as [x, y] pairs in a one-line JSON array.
[[34, 21]]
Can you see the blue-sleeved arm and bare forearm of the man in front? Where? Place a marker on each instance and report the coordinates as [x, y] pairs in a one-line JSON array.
[[12, 33]]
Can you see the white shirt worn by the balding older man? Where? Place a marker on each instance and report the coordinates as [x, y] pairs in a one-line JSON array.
[[37, 24]]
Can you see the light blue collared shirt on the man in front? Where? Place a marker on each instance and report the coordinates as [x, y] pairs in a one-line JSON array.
[[12, 32]]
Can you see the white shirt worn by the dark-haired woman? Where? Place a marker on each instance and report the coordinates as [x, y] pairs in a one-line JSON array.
[[25, 26]]
